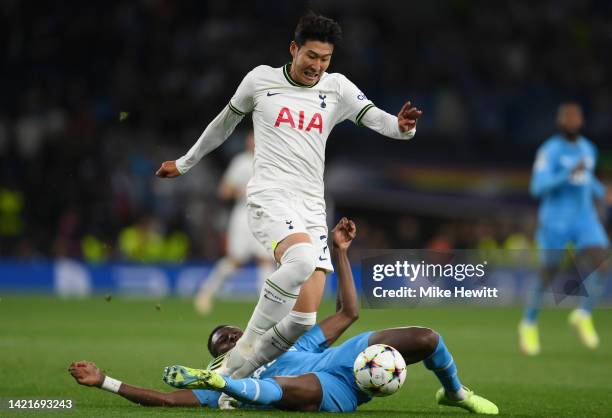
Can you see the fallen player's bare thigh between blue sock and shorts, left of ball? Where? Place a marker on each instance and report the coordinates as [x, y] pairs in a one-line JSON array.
[[300, 393]]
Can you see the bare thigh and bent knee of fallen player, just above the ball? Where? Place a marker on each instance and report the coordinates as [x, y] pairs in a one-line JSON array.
[[414, 343]]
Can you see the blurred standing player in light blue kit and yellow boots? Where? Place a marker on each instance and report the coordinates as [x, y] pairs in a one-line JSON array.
[[563, 177]]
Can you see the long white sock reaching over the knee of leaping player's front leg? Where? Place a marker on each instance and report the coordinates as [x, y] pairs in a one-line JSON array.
[[279, 293]]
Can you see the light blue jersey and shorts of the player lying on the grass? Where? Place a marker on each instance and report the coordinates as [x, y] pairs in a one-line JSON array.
[[310, 354]]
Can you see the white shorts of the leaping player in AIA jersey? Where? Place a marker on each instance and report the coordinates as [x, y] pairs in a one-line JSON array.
[[275, 214]]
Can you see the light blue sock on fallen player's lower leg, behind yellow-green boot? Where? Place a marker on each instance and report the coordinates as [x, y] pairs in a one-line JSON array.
[[255, 391]]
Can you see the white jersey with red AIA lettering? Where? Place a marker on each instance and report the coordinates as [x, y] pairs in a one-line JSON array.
[[292, 123]]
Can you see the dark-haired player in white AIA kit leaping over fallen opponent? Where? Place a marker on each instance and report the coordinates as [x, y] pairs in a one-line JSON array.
[[294, 108]]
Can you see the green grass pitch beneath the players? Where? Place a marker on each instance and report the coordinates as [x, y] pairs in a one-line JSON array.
[[133, 341]]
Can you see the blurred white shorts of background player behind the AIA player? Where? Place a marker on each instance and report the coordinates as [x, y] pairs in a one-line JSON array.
[[241, 244]]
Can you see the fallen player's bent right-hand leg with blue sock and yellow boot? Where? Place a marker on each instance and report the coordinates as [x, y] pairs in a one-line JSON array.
[[422, 344]]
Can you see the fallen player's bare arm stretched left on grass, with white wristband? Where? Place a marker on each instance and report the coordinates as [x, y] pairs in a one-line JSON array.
[[87, 373]]
